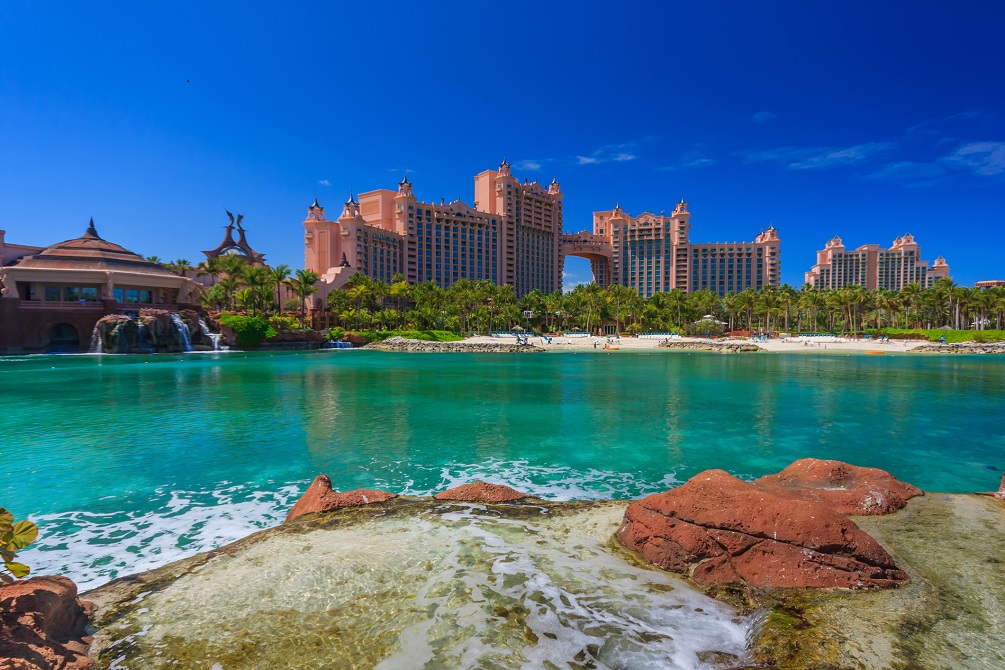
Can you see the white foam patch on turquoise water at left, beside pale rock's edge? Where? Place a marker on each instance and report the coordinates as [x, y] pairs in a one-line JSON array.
[[95, 548]]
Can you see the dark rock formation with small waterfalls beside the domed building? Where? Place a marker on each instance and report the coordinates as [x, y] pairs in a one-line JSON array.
[[152, 332]]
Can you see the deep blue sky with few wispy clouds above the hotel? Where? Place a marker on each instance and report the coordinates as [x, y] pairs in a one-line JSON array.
[[860, 120]]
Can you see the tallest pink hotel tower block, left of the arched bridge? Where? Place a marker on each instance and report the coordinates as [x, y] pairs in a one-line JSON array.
[[510, 236]]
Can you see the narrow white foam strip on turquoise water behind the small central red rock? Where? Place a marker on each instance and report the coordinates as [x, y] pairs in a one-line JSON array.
[[558, 483]]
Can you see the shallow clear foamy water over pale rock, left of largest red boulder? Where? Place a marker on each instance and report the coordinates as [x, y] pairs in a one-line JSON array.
[[454, 587]]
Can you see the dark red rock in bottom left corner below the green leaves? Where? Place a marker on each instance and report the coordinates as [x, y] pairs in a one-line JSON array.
[[43, 626]]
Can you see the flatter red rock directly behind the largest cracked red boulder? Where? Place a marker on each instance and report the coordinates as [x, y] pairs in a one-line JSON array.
[[848, 490]]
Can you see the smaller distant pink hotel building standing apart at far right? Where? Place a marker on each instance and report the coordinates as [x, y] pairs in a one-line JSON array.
[[873, 267]]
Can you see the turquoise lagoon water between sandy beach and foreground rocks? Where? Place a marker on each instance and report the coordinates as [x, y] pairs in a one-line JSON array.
[[128, 463]]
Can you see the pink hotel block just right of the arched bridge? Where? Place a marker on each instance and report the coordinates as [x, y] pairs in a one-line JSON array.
[[654, 254]]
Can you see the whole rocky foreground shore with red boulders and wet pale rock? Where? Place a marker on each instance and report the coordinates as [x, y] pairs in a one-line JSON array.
[[808, 557]]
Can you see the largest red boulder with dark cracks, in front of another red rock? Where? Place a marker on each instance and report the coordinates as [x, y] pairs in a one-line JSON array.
[[720, 530]]
